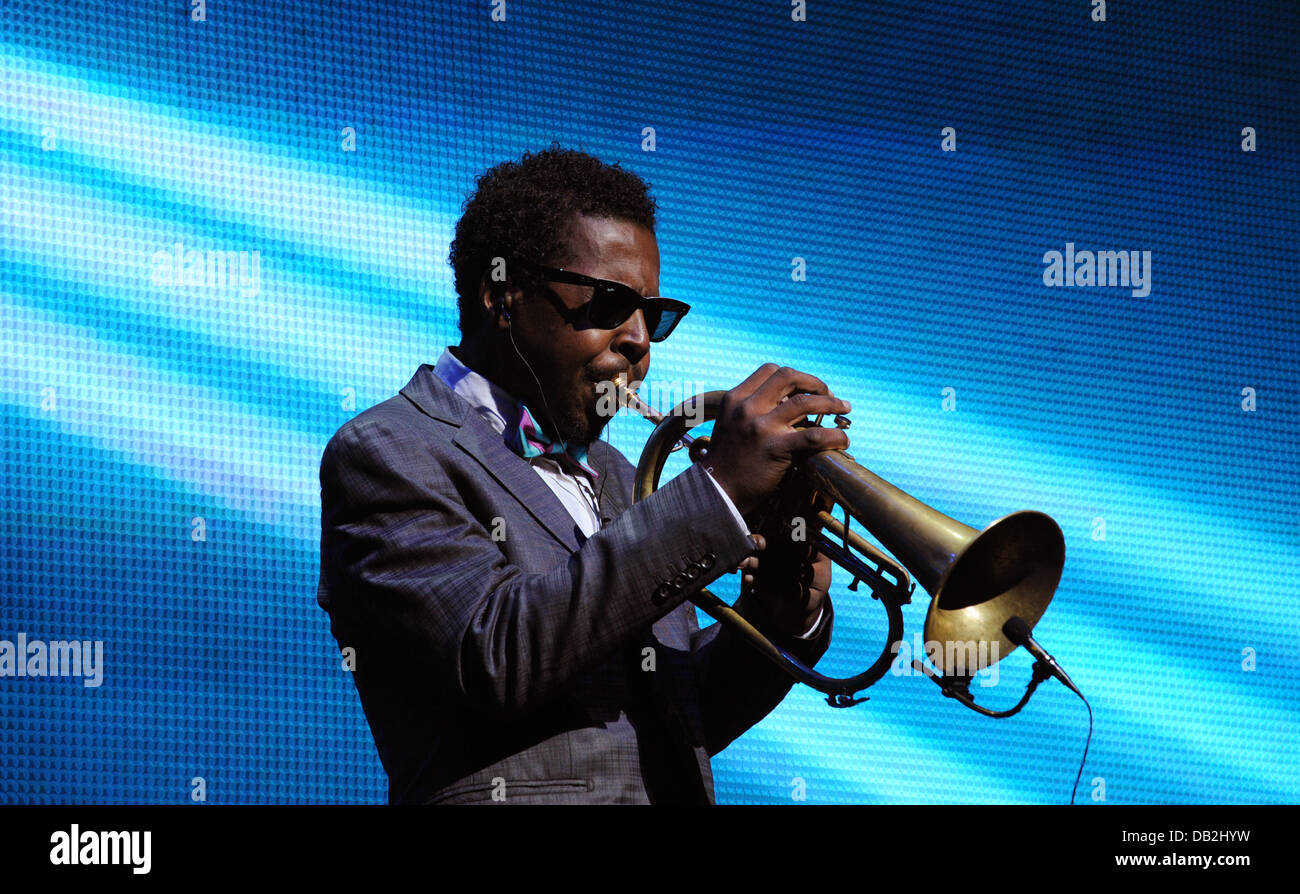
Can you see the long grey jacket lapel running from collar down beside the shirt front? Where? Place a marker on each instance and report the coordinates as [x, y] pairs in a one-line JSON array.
[[486, 446]]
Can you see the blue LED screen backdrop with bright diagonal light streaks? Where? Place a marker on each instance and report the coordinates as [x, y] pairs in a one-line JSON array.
[[133, 409]]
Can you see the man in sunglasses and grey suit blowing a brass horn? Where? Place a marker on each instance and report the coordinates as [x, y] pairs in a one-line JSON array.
[[519, 626]]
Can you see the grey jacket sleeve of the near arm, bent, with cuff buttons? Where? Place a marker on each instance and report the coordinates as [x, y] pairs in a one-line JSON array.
[[404, 557]]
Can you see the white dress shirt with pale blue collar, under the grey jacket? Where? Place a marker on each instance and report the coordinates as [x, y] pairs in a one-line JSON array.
[[574, 491]]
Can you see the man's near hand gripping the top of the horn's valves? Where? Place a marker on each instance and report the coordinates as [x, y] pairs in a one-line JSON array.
[[756, 439]]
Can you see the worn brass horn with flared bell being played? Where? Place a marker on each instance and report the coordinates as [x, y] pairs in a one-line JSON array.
[[980, 581]]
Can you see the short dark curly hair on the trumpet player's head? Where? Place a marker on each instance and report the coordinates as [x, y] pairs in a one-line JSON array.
[[522, 211]]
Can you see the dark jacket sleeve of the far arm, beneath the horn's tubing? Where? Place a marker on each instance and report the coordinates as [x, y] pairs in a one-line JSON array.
[[738, 685]]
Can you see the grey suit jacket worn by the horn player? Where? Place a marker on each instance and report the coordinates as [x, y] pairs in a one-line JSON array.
[[500, 656]]
